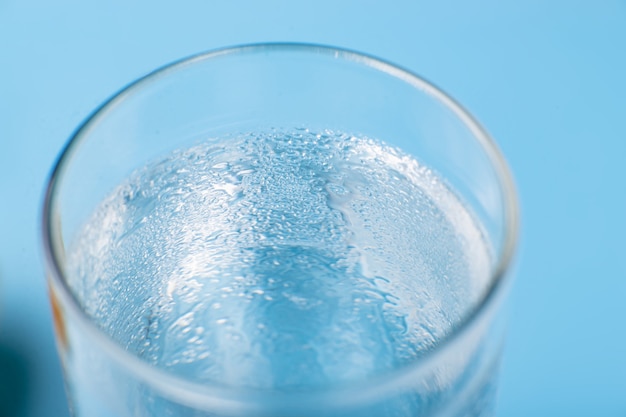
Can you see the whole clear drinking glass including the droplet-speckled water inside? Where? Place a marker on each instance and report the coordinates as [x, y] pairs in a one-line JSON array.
[[380, 137]]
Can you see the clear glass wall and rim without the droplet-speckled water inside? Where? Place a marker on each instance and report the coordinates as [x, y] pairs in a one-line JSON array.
[[273, 88]]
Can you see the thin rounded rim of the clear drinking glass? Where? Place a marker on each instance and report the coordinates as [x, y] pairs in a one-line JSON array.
[[212, 394]]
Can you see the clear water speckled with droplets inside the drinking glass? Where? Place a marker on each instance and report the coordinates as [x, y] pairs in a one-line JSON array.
[[280, 260]]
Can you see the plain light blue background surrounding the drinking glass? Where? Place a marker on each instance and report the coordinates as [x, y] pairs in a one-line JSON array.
[[545, 77]]
